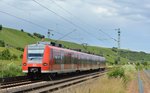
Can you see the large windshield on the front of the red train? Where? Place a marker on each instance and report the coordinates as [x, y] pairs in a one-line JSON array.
[[35, 55]]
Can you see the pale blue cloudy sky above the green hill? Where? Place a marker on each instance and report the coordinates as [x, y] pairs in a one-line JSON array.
[[88, 17]]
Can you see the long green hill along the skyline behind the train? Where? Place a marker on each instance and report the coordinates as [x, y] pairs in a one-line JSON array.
[[18, 38]]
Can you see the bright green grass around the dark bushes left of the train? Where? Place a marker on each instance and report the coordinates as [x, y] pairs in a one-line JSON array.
[[9, 68]]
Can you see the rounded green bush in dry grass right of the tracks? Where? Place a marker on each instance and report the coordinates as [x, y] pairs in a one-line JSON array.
[[117, 72]]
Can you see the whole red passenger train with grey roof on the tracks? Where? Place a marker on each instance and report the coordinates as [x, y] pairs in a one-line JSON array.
[[45, 58]]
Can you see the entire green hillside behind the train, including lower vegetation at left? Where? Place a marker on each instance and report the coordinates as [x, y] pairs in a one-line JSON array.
[[15, 40]]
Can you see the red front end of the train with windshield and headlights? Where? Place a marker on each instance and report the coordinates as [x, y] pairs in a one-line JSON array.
[[36, 59]]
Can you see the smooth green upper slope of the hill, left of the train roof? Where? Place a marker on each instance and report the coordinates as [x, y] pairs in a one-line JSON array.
[[16, 38]]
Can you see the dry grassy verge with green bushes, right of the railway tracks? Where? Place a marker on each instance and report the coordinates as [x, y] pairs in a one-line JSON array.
[[116, 83]]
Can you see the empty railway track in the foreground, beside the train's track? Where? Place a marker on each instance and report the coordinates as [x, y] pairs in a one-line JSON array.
[[51, 86]]
